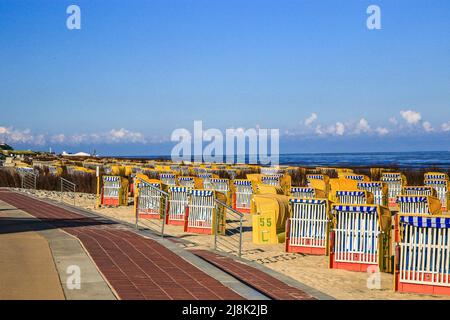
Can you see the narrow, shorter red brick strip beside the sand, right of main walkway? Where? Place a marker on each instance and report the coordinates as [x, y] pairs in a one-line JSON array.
[[253, 277]]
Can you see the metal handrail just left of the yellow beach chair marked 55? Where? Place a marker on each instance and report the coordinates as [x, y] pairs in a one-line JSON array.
[[230, 240]]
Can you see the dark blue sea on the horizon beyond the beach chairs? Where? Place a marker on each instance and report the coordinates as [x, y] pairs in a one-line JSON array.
[[413, 160]]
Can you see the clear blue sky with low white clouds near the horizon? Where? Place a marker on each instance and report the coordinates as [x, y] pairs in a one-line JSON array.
[[137, 70]]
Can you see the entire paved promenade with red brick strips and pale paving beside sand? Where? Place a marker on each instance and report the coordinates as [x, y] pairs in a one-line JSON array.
[[125, 265]]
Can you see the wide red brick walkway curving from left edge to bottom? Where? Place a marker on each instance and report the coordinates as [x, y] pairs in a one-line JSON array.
[[136, 267]]
